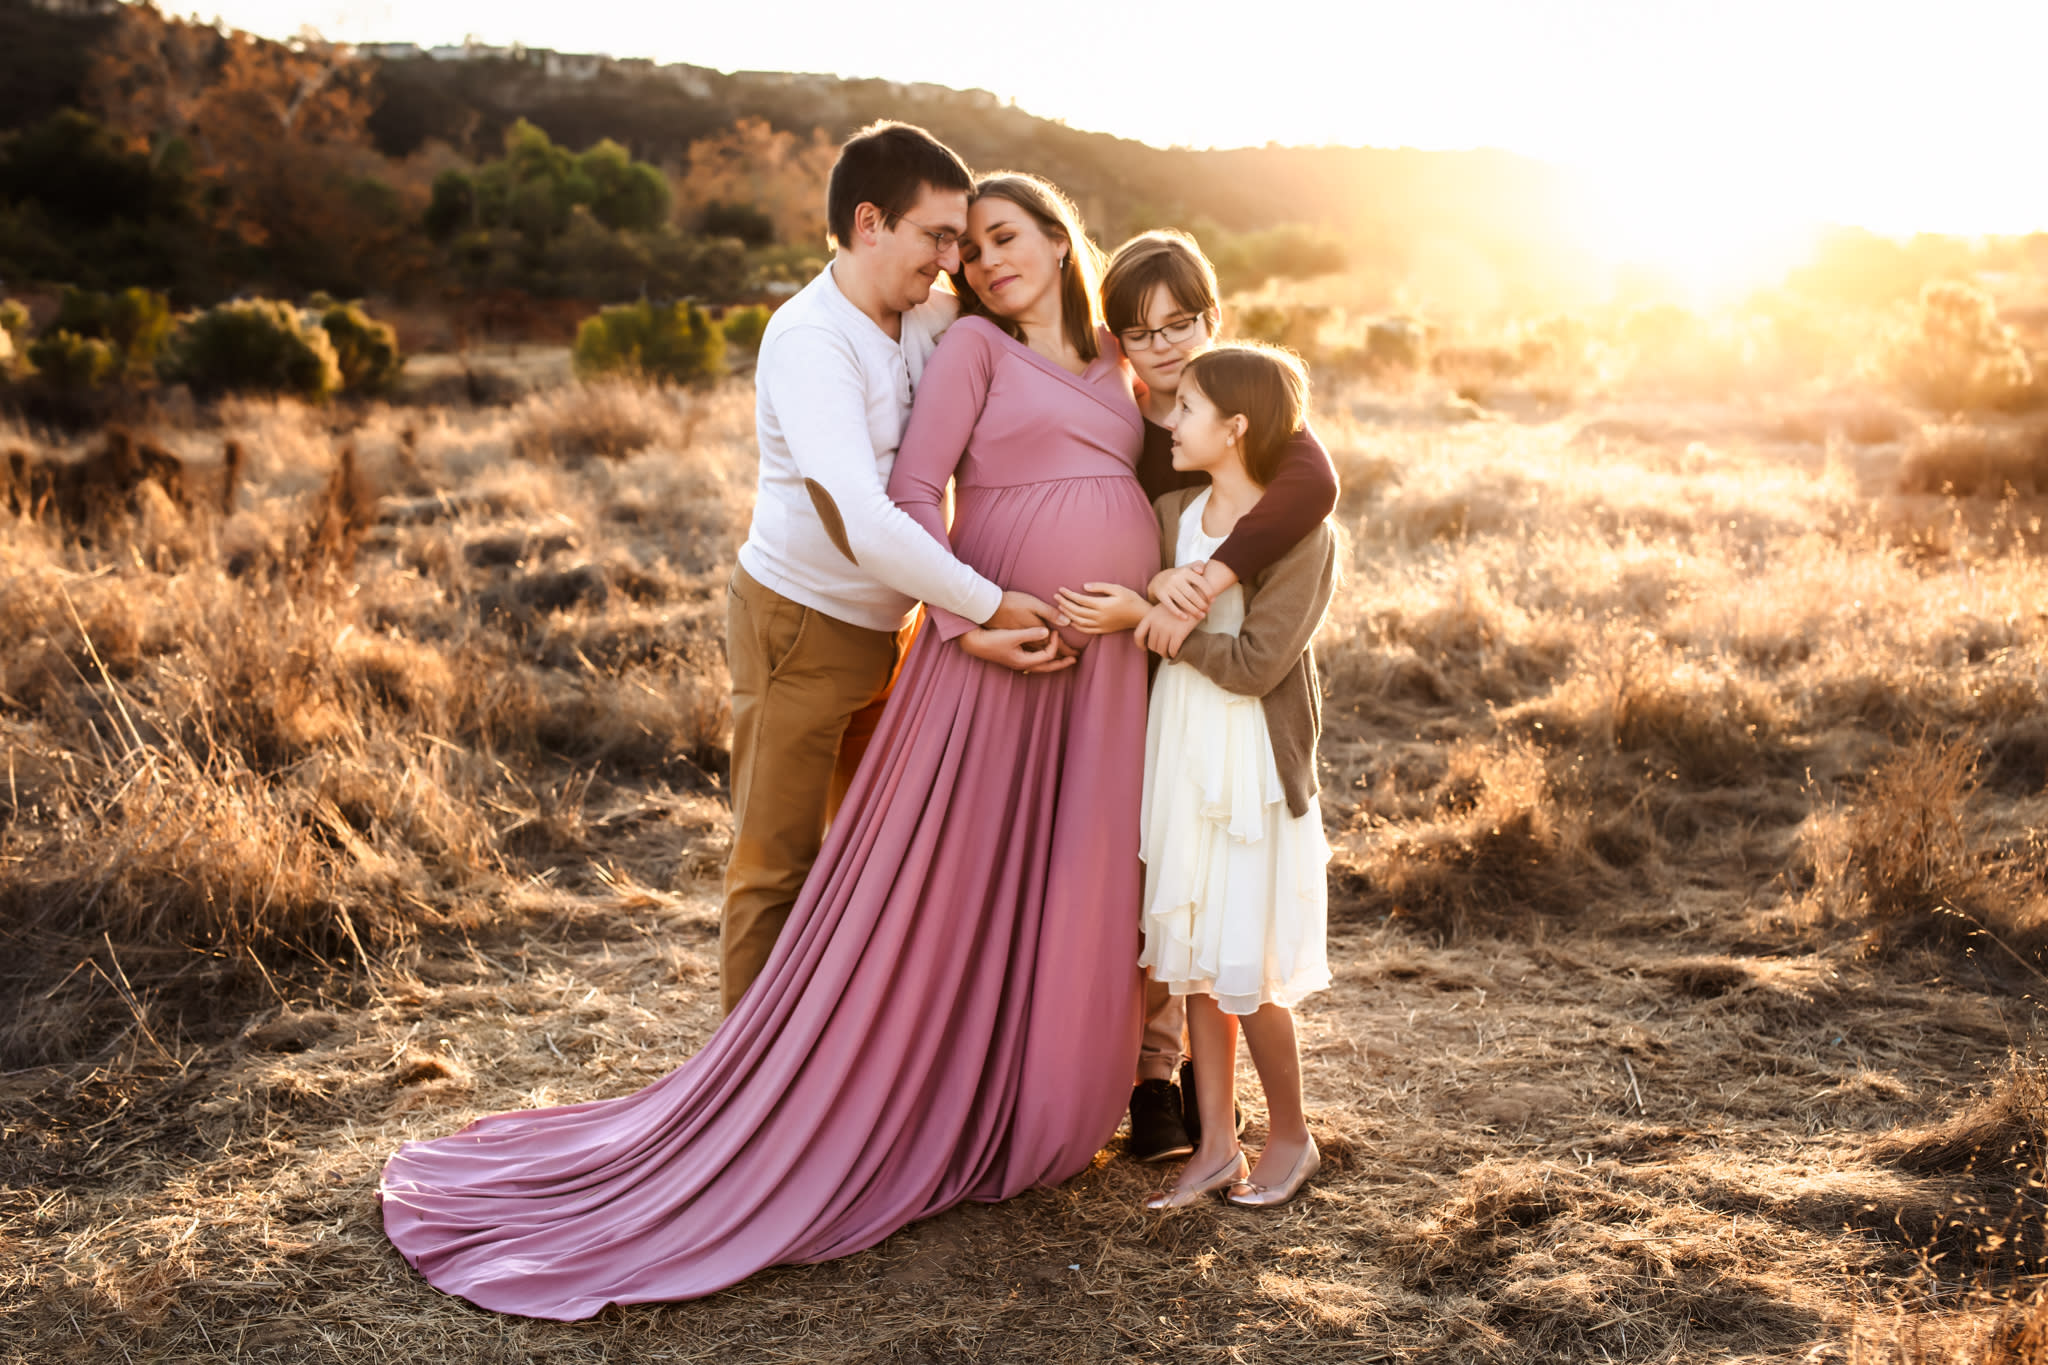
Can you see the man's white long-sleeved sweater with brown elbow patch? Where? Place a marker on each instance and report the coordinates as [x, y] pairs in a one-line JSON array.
[[833, 396]]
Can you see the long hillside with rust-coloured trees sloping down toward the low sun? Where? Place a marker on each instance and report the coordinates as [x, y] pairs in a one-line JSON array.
[[396, 116]]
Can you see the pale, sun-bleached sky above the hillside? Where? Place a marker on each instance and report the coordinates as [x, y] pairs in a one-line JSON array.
[[1709, 126]]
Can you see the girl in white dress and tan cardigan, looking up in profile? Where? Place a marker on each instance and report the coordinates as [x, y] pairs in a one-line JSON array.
[[1234, 848]]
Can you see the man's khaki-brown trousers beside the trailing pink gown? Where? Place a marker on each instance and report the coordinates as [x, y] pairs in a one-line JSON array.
[[808, 695]]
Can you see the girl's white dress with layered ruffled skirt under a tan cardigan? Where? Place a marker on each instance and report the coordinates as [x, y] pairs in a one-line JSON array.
[[1236, 889]]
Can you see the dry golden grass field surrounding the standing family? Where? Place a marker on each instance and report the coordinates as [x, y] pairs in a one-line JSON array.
[[1687, 766]]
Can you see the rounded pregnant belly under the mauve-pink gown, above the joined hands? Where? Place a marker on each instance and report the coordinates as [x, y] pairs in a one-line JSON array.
[[1043, 537]]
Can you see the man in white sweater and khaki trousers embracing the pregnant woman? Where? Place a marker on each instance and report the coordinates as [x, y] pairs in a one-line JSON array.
[[824, 599]]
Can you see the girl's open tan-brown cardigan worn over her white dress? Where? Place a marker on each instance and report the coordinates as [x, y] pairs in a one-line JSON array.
[[1271, 656]]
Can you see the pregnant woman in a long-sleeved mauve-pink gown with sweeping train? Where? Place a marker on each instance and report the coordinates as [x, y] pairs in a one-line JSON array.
[[953, 1010]]
